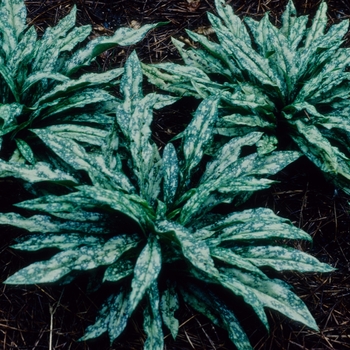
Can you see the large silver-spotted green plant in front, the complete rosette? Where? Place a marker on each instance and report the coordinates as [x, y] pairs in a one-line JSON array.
[[180, 249]]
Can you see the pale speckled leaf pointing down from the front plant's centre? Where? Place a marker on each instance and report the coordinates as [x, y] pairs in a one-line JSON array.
[[146, 271]]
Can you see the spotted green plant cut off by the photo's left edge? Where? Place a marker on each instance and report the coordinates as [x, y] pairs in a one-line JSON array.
[[44, 89]]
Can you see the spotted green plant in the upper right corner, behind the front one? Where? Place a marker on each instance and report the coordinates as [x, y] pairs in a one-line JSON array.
[[291, 82]]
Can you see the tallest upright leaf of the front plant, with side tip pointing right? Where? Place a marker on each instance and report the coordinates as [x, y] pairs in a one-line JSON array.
[[134, 117]]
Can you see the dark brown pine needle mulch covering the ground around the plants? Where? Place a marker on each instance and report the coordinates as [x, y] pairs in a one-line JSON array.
[[54, 317]]
